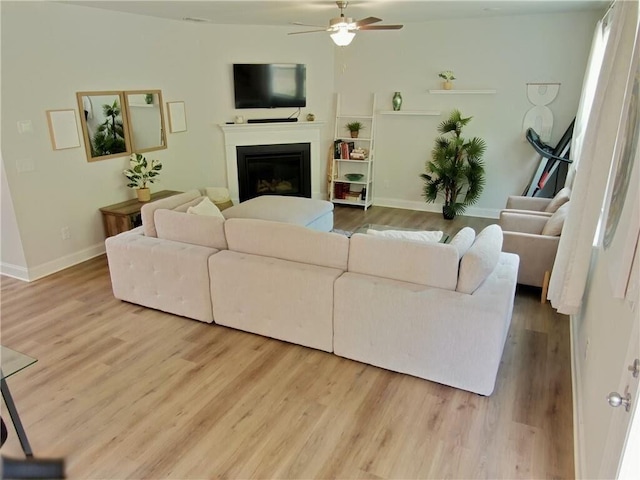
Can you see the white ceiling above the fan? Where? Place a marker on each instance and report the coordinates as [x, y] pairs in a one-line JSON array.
[[318, 12]]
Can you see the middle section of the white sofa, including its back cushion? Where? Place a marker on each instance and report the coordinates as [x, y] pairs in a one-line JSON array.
[[277, 280]]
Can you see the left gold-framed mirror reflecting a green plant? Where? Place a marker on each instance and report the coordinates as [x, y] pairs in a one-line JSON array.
[[104, 125]]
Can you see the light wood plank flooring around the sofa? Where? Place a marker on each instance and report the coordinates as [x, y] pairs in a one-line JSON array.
[[122, 391]]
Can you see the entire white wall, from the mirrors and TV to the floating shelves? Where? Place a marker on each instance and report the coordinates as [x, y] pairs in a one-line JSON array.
[[50, 51]]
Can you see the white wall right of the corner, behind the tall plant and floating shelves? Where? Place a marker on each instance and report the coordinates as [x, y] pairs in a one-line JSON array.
[[502, 53]]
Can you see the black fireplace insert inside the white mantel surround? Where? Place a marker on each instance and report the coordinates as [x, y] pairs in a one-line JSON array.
[[278, 169]]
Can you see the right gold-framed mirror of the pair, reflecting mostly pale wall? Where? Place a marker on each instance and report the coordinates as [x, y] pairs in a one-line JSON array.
[[146, 120]]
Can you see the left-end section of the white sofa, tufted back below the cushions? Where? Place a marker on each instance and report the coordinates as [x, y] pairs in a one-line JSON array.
[[161, 274]]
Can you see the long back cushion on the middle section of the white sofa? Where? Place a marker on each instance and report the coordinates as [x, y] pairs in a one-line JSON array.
[[287, 242]]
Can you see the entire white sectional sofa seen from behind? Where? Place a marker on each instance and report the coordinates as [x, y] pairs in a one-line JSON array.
[[436, 311]]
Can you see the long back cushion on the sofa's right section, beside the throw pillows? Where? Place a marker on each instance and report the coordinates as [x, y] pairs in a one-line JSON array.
[[430, 264]]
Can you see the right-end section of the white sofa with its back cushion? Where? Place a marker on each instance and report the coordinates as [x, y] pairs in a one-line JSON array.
[[409, 318]]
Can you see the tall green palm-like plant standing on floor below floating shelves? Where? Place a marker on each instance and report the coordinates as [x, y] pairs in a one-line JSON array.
[[456, 170]]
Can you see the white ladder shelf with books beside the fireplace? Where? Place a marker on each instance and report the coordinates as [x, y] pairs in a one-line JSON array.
[[360, 193]]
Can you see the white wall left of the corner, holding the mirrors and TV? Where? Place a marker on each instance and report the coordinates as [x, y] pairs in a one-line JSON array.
[[50, 51]]
